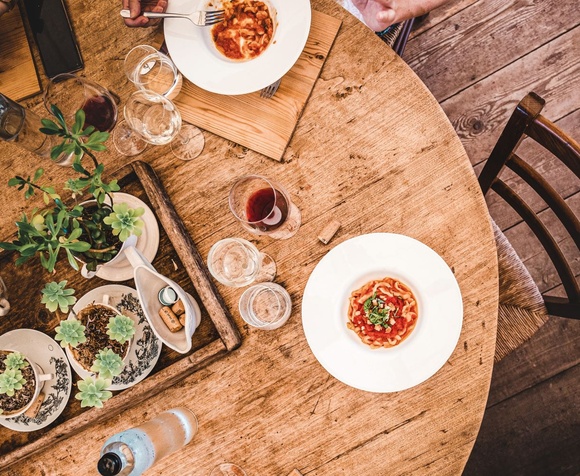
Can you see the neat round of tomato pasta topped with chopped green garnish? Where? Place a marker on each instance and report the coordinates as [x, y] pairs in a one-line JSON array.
[[383, 312]]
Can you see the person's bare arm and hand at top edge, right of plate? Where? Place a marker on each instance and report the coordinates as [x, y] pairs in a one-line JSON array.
[[379, 14]]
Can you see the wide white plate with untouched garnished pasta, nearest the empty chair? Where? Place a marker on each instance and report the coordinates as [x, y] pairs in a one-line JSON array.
[[382, 312]]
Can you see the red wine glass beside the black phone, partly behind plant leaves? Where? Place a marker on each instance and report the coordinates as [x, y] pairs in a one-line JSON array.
[[70, 93]]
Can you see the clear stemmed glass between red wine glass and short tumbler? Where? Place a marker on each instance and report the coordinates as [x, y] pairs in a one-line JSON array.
[[237, 262]]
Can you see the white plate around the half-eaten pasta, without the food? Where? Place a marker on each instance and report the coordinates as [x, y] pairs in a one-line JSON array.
[[193, 51]]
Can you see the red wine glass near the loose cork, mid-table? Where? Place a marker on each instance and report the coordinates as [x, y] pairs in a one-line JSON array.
[[263, 207]]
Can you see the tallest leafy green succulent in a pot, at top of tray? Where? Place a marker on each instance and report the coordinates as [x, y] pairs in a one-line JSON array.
[[90, 232]]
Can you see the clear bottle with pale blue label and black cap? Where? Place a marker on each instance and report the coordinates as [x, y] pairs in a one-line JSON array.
[[133, 451]]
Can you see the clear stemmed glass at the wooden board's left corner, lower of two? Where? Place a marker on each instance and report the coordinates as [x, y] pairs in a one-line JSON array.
[[150, 118]]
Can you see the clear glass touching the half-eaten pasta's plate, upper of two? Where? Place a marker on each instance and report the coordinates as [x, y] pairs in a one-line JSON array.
[[148, 68]]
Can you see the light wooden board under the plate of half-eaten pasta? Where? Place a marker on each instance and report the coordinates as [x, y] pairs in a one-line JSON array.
[[263, 125]]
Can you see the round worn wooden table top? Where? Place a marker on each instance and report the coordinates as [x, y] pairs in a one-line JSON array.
[[372, 148]]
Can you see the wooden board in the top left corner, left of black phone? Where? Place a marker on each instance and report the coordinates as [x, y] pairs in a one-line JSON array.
[[18, 78]]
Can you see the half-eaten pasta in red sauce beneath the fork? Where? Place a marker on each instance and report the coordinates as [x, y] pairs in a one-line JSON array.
[[246, 30]]
